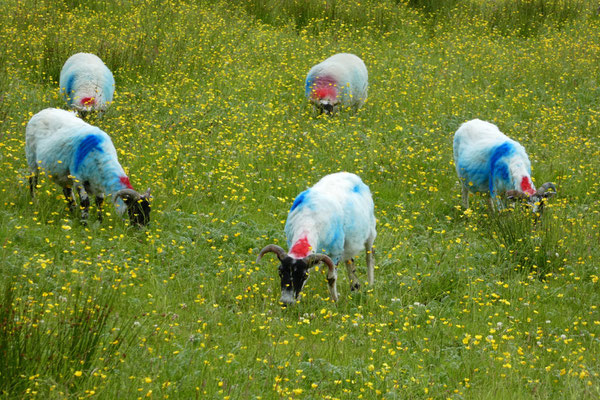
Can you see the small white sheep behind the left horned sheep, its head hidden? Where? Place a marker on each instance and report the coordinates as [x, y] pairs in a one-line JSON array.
[[86, 84]]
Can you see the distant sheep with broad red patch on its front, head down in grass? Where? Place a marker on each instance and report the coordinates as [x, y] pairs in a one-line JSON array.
[[340, 79]]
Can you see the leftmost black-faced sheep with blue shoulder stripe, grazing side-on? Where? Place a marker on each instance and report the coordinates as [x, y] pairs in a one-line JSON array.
[[78, 155]]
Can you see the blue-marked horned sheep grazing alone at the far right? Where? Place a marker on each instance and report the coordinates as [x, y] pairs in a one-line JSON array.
[[486, 160]]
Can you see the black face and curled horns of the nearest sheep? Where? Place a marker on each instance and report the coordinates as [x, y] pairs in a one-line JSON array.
[[294, 271]]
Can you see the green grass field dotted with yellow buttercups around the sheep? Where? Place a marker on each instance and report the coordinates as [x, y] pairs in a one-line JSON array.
[[210, 113]]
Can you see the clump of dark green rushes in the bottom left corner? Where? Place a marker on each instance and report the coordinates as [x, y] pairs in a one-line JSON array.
[[69, 336]]
